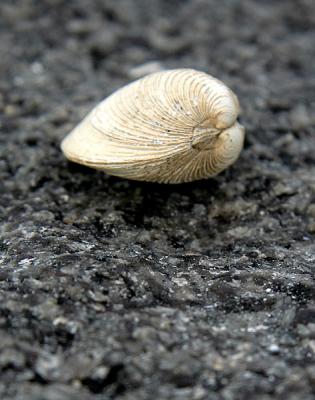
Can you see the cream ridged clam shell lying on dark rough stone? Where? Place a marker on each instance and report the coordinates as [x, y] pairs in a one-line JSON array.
[[171, 126]]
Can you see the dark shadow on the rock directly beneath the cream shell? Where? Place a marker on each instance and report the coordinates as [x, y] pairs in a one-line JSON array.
[[137, 201]]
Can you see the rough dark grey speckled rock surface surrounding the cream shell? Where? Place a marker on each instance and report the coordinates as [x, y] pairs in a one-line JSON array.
[[111, 289]]
